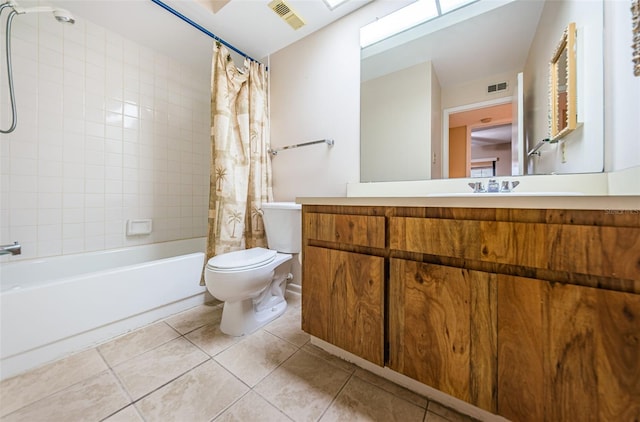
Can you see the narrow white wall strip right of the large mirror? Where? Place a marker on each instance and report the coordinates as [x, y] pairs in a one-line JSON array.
[[622, 104]]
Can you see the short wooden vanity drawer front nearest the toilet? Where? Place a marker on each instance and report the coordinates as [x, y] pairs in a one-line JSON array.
[[357, 230]]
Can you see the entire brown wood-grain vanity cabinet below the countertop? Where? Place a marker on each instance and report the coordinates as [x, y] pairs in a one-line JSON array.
[[530, 314]]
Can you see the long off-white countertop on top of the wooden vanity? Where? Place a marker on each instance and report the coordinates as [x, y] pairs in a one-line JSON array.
[[620, 204]]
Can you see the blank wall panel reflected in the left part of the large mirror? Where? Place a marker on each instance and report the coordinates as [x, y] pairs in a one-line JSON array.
[[395, 121]]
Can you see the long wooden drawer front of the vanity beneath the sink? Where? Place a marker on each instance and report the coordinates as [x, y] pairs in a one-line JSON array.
[[590, 250]]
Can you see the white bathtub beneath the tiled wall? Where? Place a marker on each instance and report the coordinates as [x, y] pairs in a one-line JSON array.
[[52, 307]]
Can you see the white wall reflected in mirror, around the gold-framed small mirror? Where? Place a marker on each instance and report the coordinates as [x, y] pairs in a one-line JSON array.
[[584, 151]]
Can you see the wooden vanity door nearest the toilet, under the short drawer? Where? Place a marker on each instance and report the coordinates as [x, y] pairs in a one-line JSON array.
[[343, 300]]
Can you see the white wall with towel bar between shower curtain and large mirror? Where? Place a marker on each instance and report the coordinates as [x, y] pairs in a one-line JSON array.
[[315, 94]]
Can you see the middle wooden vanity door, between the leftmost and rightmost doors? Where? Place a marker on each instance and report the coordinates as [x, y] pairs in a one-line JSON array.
[[442, 330]]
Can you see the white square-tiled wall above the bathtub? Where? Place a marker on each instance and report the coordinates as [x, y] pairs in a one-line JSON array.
[[108, 130]]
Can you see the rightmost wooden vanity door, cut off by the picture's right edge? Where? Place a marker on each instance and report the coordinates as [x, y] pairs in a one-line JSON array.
[[567, 352]]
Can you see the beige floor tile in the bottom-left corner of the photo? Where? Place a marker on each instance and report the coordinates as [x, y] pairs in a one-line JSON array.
[[90, 400]]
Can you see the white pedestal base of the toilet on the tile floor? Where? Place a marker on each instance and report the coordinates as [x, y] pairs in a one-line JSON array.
[[242, 317]]
